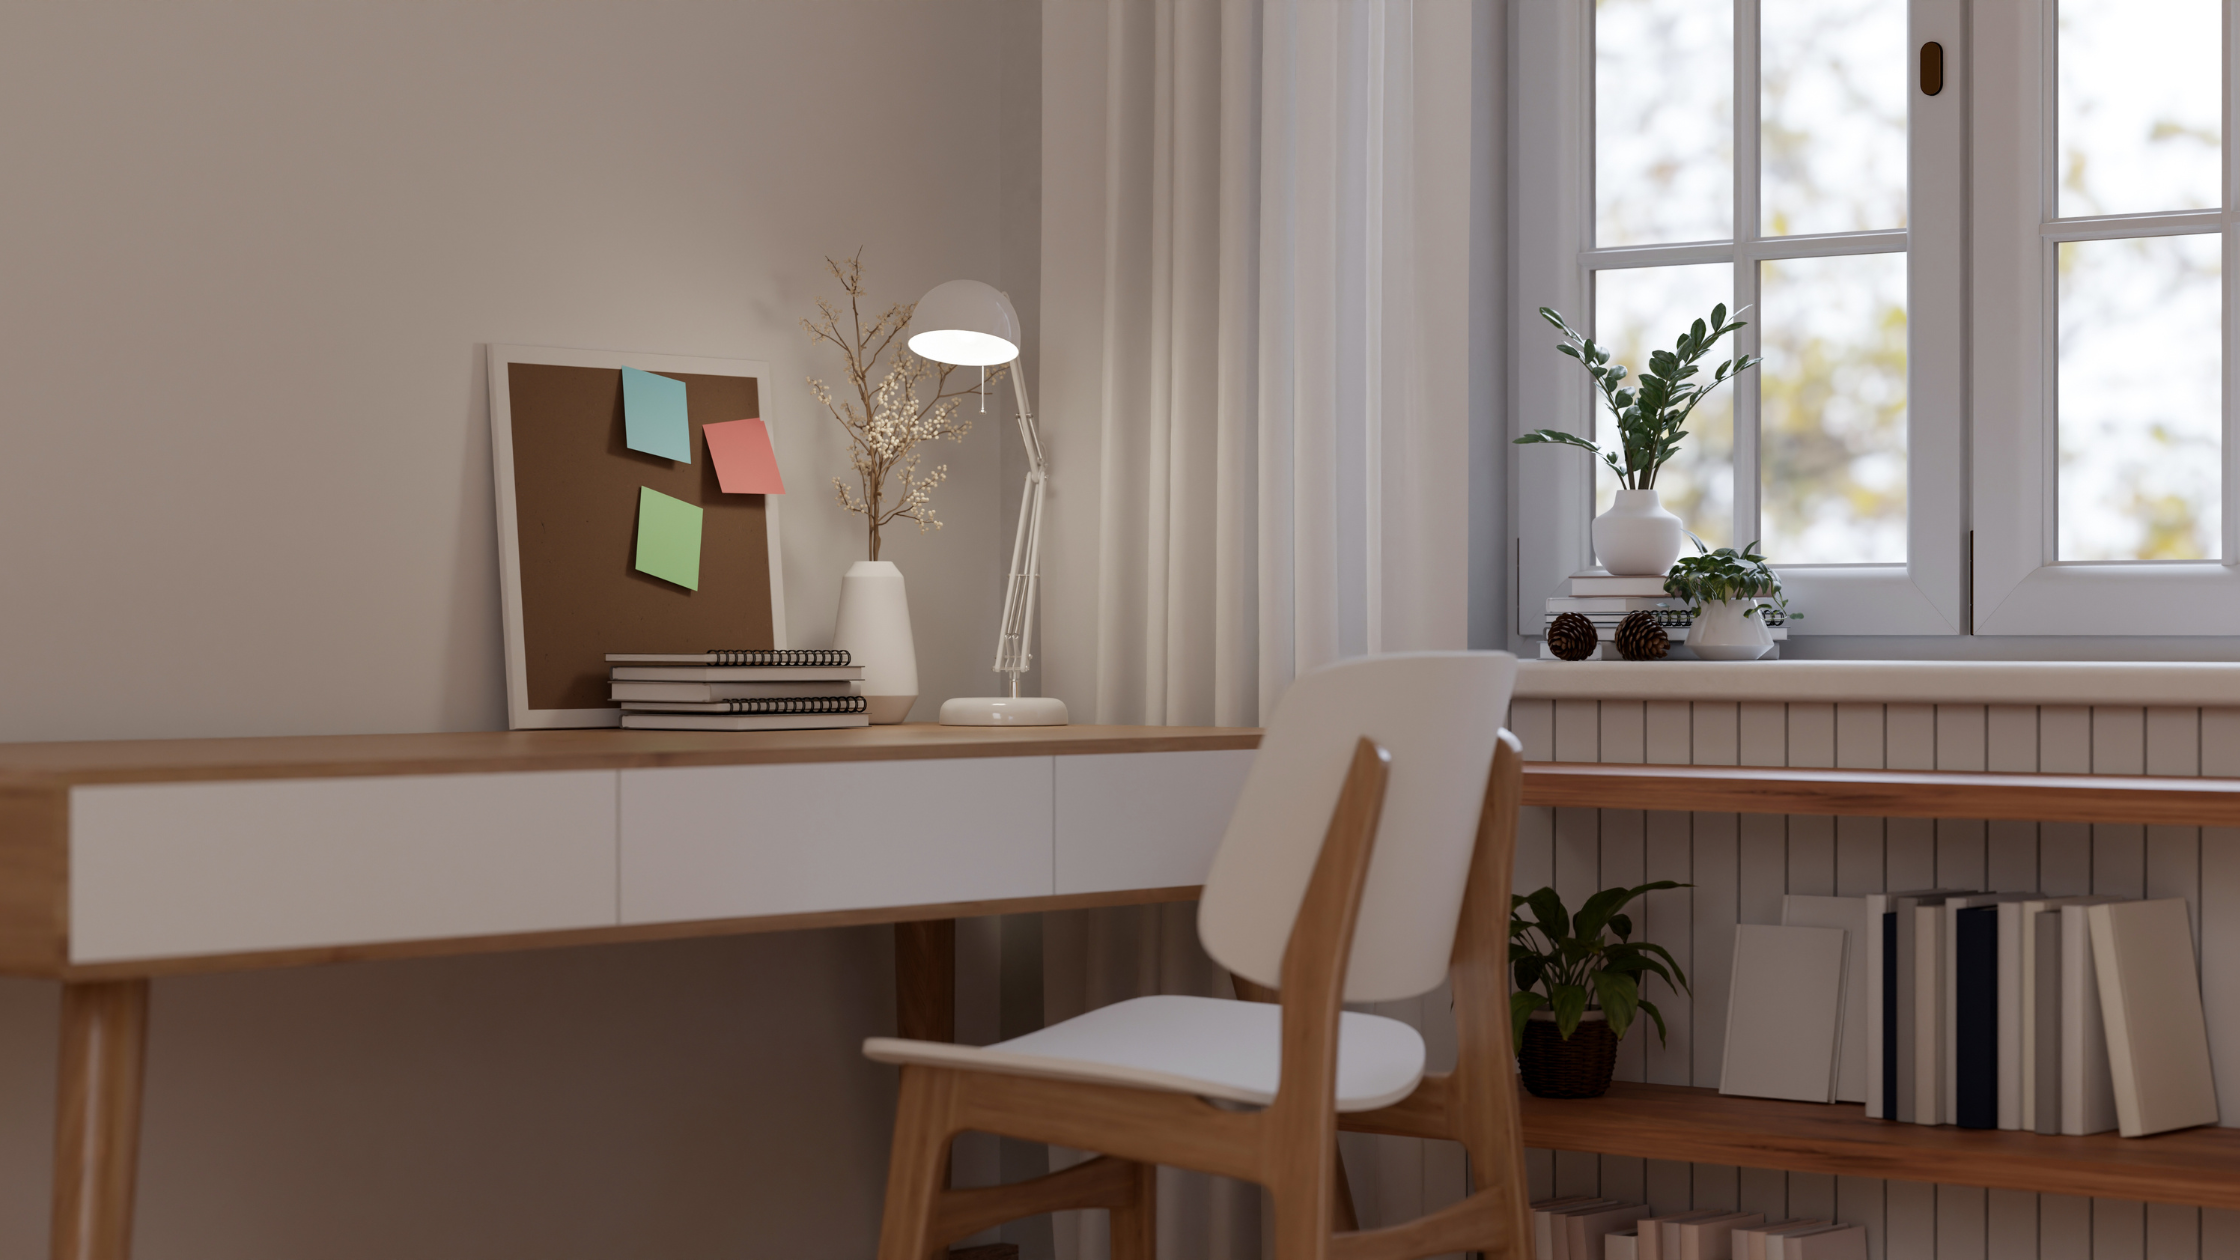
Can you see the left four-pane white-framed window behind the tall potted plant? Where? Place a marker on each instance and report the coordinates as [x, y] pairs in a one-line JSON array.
[[1773, 156]]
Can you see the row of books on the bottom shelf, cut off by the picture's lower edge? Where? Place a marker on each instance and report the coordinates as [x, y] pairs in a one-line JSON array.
[[1609, 1230]]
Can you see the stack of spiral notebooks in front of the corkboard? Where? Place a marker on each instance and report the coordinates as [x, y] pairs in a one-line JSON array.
[[738, 689]]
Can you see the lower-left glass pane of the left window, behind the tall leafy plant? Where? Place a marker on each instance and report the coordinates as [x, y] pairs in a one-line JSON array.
[[1641, 311]]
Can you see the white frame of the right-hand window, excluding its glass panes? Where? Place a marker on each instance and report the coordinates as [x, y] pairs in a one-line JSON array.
[[2022, 586]]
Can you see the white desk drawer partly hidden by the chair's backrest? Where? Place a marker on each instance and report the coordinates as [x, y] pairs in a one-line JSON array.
[[1144, 819]]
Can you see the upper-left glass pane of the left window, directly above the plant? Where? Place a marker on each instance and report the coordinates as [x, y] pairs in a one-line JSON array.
[[1663, 120]]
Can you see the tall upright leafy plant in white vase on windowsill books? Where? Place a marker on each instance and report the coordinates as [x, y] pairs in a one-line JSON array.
[[1639, 537]]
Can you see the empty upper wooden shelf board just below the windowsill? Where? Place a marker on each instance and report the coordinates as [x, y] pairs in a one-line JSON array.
[[1889, 793]]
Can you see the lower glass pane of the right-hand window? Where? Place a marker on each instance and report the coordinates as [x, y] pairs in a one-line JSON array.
[[2140, 400]]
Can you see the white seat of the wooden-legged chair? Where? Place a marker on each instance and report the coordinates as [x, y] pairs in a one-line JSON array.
[[1186, 1046]]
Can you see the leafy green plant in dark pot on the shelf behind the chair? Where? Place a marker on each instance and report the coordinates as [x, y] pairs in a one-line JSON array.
[[1580, 985]]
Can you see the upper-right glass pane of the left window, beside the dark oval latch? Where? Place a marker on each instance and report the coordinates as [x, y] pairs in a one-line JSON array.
[[1833, 124]]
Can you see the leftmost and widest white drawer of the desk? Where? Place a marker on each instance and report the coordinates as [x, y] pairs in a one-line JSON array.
[[180, 869]]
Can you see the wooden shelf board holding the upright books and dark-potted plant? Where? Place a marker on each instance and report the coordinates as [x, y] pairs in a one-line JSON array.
[[1699, 1127]]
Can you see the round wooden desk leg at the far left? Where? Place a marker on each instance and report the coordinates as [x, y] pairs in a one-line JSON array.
[[97, 1120]]
